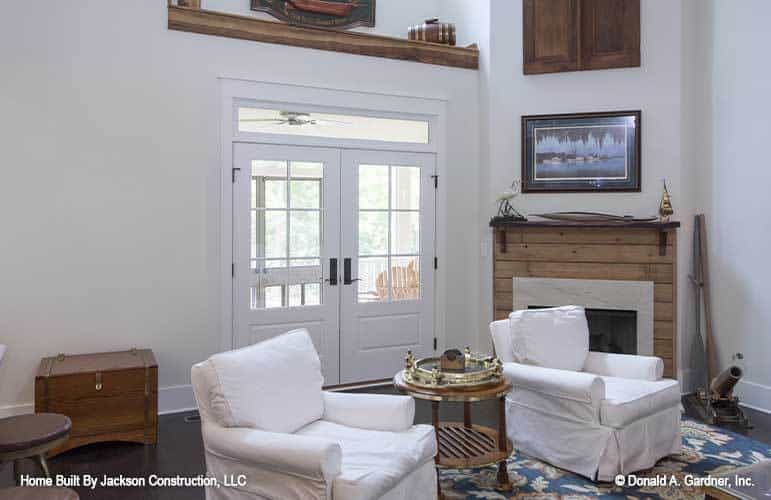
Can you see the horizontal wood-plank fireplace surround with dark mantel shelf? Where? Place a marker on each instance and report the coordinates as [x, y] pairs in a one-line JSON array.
[[645, 251]]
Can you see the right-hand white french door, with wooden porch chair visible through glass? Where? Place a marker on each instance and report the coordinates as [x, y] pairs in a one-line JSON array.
[[388, 242]]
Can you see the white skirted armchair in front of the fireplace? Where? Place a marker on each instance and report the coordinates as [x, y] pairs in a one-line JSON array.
[[592, 413]]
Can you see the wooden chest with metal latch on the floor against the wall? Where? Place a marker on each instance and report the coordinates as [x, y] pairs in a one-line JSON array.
[[111, 396]]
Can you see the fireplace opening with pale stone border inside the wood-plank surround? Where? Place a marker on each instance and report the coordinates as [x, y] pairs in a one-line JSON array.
[[619, 313]]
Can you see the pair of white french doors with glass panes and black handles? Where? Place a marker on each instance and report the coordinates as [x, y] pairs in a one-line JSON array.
[[340, 242]]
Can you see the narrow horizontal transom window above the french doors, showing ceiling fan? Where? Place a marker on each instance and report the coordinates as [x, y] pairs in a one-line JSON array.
[[333, 126]]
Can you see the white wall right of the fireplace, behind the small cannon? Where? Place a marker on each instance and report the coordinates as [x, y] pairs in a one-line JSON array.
[[738, 193]]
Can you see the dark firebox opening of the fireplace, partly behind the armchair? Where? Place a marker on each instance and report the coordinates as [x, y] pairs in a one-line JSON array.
[[610, 330]]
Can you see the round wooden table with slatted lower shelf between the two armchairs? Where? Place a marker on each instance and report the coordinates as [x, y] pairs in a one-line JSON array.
[[463, 444]]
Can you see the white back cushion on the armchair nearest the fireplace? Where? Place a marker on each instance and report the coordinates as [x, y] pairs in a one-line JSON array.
[[557, 337]]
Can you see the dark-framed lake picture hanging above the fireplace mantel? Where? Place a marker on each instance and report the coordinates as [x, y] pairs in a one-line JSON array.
[[582, 152]]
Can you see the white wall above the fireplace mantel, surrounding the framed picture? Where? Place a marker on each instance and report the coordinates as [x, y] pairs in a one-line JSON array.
[[653, 88]]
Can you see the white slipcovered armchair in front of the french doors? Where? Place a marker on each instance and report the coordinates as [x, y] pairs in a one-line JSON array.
[[270, 429]]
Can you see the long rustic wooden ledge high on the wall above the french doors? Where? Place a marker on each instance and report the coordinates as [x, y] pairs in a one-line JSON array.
[[209, 22]]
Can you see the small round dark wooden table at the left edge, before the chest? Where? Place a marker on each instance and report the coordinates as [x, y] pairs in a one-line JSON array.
[[31, 436]]
